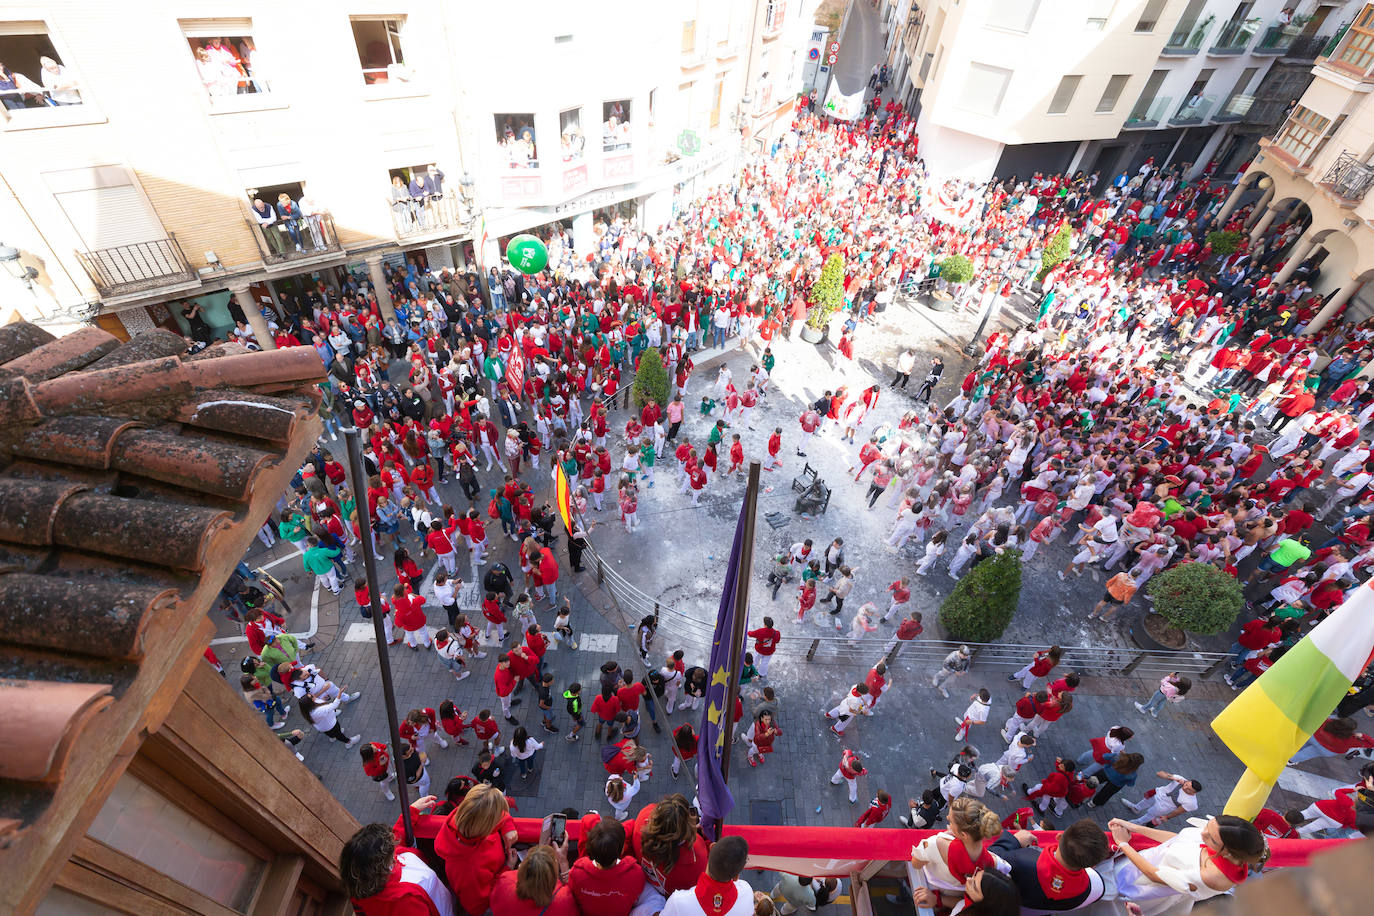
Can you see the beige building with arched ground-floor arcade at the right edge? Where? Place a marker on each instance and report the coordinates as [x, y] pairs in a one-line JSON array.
[[1318, 171]]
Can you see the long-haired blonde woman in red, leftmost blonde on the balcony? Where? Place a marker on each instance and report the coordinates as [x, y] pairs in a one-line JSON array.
[[473, 847]]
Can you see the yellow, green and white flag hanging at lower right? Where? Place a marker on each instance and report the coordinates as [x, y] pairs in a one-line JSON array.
[[1280, 712]]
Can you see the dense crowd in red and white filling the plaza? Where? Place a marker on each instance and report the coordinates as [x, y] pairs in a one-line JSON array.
[[1167, 407]]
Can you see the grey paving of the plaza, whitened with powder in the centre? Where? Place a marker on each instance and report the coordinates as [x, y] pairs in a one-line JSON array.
[[678, 557]]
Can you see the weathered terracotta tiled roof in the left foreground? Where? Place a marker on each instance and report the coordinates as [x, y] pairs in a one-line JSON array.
[[124, 468]]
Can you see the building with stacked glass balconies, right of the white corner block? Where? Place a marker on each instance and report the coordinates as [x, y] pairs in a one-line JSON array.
[[1226, 76]]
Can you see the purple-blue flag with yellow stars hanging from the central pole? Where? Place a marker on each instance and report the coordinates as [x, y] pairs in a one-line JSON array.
[[717, 722]]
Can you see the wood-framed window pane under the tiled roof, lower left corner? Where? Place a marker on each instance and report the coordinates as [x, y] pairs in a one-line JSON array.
[[149, 829]]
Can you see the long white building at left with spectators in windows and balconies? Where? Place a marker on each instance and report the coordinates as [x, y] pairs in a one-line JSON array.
[[258, 149]]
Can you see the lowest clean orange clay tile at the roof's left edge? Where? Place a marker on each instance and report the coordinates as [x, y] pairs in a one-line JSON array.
[[45, 720]]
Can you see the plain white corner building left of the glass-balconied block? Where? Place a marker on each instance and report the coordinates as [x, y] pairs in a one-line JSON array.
[[1011, 87]]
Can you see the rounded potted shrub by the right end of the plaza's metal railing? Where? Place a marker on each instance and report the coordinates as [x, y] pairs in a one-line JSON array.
[[1191, 598]]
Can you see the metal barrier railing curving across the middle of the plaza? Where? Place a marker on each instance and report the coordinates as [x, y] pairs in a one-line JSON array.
[[695, 635]]
